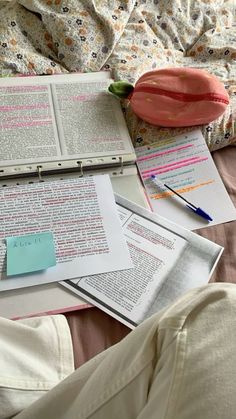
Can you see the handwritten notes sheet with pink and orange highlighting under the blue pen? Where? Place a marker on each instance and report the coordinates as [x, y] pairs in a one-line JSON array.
[[185, 164]]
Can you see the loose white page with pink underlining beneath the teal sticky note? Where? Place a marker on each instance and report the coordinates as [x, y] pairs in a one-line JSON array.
[[81, 215]]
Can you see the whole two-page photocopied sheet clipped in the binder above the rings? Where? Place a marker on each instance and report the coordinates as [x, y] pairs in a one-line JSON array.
[[61, 117]]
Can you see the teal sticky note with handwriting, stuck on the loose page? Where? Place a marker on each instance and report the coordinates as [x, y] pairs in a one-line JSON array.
[[30, 253]]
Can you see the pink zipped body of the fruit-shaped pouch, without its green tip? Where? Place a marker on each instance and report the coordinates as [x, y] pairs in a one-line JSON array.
[[178, 97]]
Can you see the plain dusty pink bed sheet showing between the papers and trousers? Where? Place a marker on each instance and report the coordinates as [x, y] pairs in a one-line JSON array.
[[93, 330]]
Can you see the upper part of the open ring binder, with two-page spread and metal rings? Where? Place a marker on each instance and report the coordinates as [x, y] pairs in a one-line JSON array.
[[64, 124]]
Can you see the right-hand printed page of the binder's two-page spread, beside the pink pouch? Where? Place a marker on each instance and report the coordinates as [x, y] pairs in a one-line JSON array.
[[90, 120]]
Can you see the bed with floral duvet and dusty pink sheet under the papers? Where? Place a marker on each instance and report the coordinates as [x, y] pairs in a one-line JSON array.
[[128, 38]]
